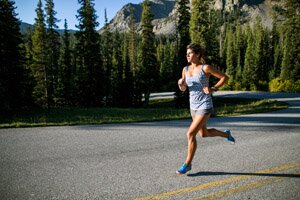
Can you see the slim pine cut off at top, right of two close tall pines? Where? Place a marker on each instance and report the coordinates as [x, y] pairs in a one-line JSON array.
[[53, 50]]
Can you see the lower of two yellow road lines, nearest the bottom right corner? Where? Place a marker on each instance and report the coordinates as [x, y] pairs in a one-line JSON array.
[[228, 192]]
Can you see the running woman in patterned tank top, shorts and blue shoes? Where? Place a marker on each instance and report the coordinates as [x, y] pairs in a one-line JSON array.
[[196, 77]]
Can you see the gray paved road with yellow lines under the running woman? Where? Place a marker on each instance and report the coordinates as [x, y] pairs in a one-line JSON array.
[[139, 160]]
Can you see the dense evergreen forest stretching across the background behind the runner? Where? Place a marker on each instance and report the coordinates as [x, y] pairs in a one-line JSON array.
[[43, 68]]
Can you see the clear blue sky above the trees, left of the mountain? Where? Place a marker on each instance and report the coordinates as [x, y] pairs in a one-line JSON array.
[[67, 9]]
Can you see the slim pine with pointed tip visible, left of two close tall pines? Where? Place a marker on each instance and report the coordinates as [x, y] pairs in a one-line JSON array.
[[39, 55]]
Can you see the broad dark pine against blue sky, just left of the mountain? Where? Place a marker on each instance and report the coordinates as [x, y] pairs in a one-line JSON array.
[[89, 72]]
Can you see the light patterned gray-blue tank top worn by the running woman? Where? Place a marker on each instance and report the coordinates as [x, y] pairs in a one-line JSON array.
[[198, 99]]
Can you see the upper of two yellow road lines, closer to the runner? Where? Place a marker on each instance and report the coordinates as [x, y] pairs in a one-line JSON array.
[[220, 182]]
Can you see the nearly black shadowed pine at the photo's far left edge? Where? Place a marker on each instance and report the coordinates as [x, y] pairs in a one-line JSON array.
[[12, 58]]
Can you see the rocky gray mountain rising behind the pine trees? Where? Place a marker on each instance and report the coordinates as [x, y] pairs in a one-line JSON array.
[[165, 12]]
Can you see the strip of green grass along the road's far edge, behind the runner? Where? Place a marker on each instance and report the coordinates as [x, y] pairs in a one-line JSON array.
[[163, 109]]
